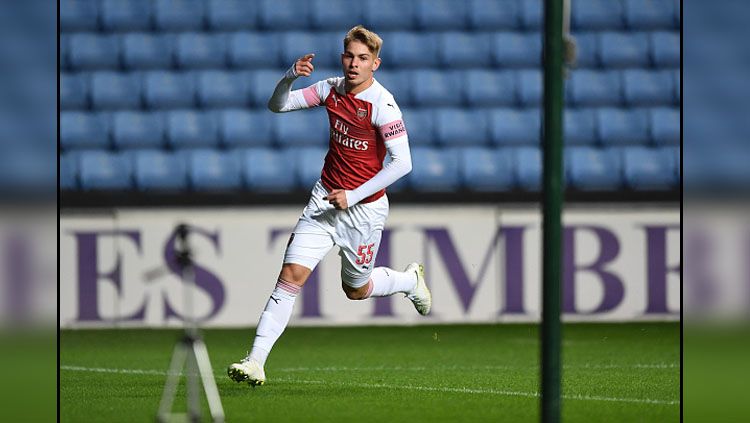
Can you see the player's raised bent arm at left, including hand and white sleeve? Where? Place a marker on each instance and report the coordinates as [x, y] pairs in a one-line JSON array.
[[286, 100]]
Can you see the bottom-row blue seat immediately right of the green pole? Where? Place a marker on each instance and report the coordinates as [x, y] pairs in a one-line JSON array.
[[591, 169]]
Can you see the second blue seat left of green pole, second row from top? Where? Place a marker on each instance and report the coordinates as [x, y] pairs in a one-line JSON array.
[[465, 50]]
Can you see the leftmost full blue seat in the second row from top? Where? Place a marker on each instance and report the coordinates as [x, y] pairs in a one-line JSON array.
[[92, 51]]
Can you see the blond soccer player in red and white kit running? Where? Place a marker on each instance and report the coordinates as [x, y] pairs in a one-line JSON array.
[[348, 206]]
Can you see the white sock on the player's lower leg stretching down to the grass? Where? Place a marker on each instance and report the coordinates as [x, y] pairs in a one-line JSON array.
[[274, 319]]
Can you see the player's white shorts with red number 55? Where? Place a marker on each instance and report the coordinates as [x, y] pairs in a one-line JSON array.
[[356, 230]]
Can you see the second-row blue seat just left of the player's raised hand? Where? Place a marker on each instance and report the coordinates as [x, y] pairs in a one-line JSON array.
[[254, 50]]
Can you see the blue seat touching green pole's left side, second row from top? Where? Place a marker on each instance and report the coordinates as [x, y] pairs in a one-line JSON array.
[[516, 49]]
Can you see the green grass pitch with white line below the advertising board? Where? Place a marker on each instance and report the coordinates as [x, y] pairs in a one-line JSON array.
[[432, 373]]
